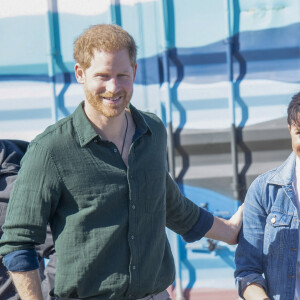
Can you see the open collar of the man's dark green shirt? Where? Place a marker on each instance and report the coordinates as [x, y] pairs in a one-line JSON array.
[[86, 133]]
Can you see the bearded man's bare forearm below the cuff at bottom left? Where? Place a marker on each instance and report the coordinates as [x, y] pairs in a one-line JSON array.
[[27, 284]]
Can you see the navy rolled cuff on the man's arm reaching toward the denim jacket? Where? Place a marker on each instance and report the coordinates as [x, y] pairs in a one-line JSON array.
[[202, 226]]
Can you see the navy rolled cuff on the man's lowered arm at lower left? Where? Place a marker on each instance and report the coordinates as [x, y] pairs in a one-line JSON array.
[[21, 260]]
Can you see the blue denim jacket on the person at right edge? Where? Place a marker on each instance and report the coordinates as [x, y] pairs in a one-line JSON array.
[[268, 242]]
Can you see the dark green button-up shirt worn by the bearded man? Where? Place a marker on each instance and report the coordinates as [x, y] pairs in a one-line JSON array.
[[108, 220]]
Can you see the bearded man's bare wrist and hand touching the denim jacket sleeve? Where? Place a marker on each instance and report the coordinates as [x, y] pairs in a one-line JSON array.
[[227, 230]]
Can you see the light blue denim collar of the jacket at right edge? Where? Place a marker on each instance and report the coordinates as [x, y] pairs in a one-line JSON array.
[[285, 173]]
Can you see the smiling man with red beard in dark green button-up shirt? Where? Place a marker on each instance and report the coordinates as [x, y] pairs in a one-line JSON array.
[[100, 178]]
